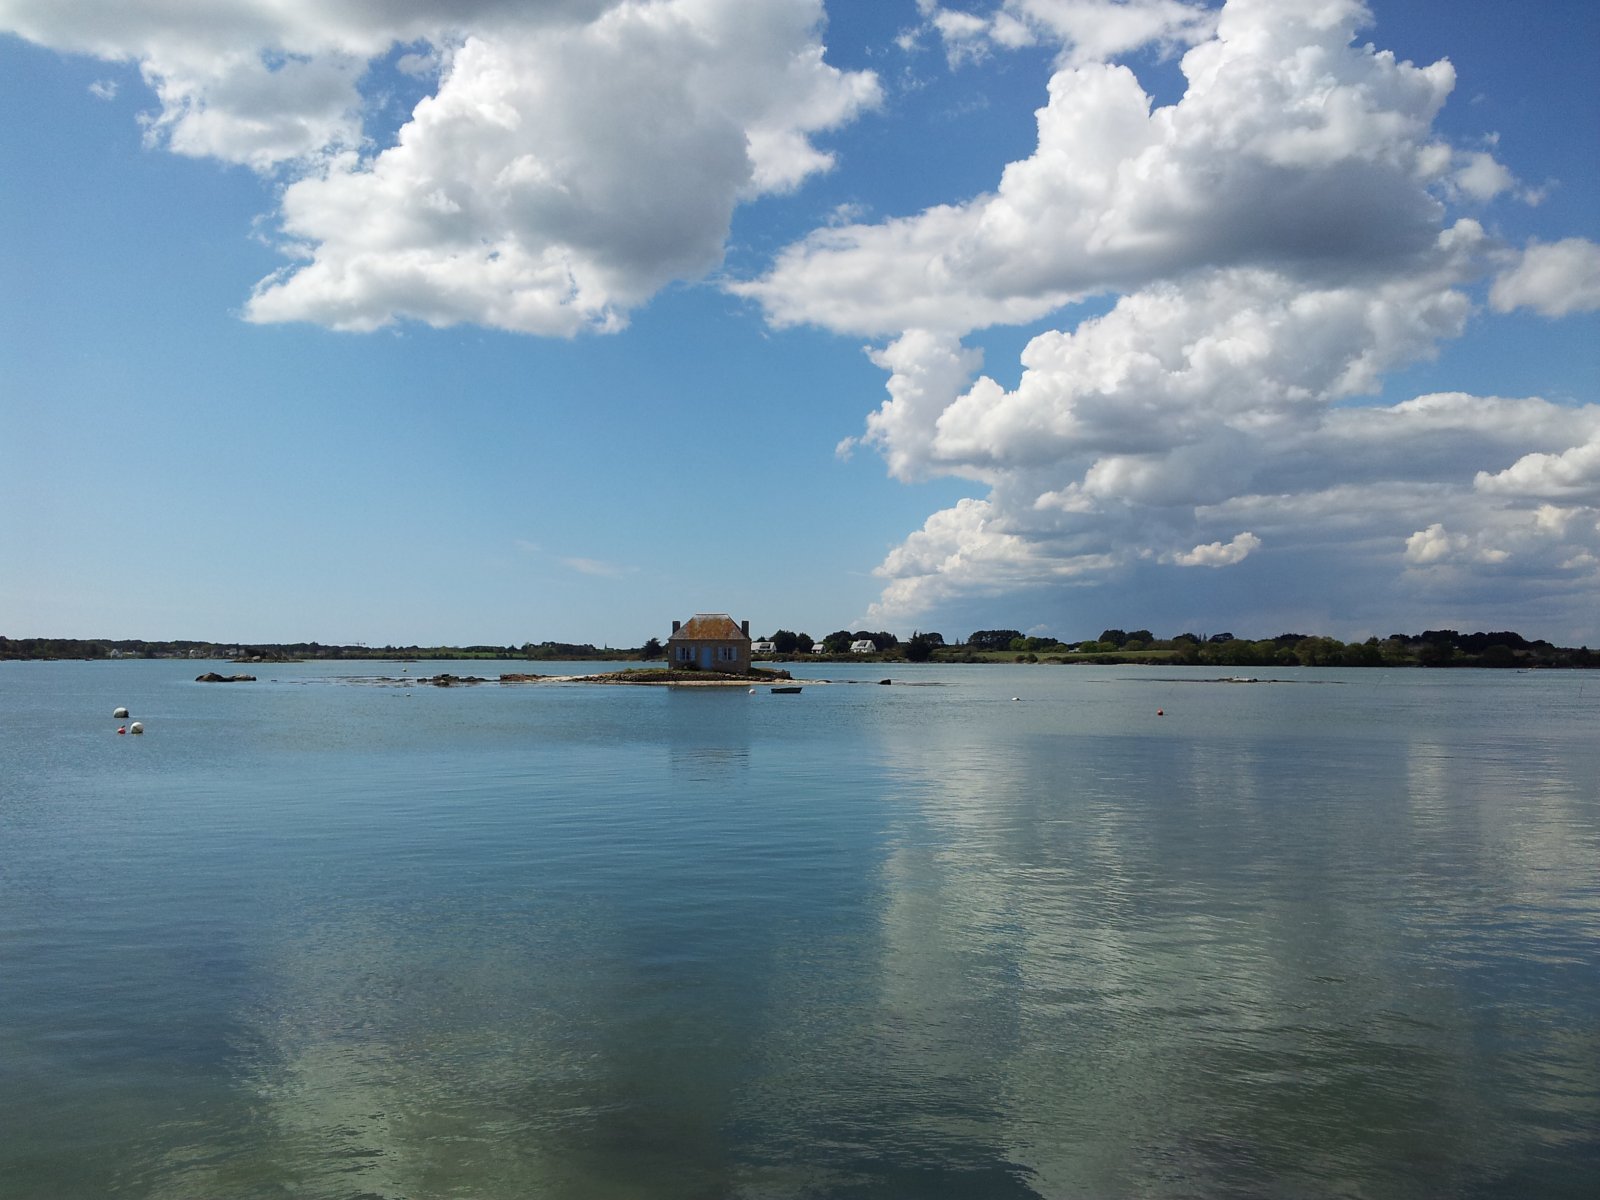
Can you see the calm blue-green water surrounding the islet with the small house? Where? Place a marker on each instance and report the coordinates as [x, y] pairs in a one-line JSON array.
[[327, 938]]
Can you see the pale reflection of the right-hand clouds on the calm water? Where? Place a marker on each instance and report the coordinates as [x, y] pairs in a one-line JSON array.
[[1234, 962]]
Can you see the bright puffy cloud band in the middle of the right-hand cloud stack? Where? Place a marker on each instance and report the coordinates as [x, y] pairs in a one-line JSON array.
[[1174, 366]]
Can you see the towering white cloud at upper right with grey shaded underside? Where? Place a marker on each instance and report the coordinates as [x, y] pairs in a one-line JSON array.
[[1292, 150]]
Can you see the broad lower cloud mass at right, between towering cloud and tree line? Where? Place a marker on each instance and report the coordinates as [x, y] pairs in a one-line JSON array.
[[1207, 422]]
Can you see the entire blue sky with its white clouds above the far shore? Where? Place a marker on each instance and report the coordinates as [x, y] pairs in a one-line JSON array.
[[506, 321]]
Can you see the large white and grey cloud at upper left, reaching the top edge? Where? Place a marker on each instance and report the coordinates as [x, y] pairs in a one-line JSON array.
[[577, 156]]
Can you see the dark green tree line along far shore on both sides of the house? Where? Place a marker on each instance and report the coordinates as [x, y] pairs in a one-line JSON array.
[[1431, 649]]
